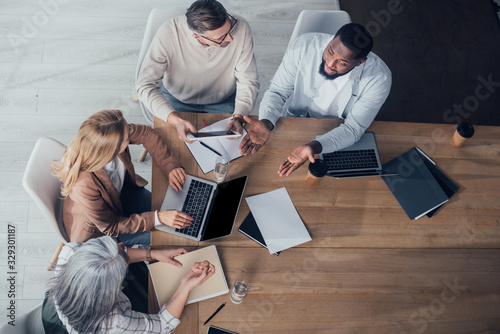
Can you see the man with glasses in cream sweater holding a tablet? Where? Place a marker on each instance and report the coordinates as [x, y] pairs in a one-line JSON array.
[[200, 62]]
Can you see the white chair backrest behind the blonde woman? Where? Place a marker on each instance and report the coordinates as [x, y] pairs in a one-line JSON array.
[[42, 186]]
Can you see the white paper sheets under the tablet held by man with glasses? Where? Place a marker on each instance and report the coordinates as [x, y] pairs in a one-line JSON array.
[[205, 156]]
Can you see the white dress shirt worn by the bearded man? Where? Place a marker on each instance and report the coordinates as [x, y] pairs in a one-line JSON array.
[[298, 89]]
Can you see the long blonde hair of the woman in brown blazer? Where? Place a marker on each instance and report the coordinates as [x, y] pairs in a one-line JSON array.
[[97, 143]]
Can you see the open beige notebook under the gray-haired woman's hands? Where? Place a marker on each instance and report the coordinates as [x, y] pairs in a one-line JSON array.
[[166, 277]]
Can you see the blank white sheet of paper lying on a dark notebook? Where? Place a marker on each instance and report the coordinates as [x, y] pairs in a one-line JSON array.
[[278, 220]]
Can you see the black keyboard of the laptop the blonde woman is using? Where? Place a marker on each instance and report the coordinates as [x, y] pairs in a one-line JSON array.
[[195, 204]]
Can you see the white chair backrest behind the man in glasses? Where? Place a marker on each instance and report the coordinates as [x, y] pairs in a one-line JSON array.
[[156, 18]]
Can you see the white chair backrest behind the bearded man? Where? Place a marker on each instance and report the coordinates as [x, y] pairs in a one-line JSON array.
[[327, 21]]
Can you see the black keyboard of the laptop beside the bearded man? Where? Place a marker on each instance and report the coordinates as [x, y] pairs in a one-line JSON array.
[[342, 160]]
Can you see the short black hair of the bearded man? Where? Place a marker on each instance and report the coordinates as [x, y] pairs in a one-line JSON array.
[[356, 38]]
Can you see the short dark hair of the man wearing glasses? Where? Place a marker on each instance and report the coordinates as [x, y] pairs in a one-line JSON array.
[[205, 15]]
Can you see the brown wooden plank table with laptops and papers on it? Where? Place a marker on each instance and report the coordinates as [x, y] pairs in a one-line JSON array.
[[368, 268]]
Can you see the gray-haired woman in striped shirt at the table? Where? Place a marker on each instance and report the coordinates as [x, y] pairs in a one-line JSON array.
[[86, 290]]
